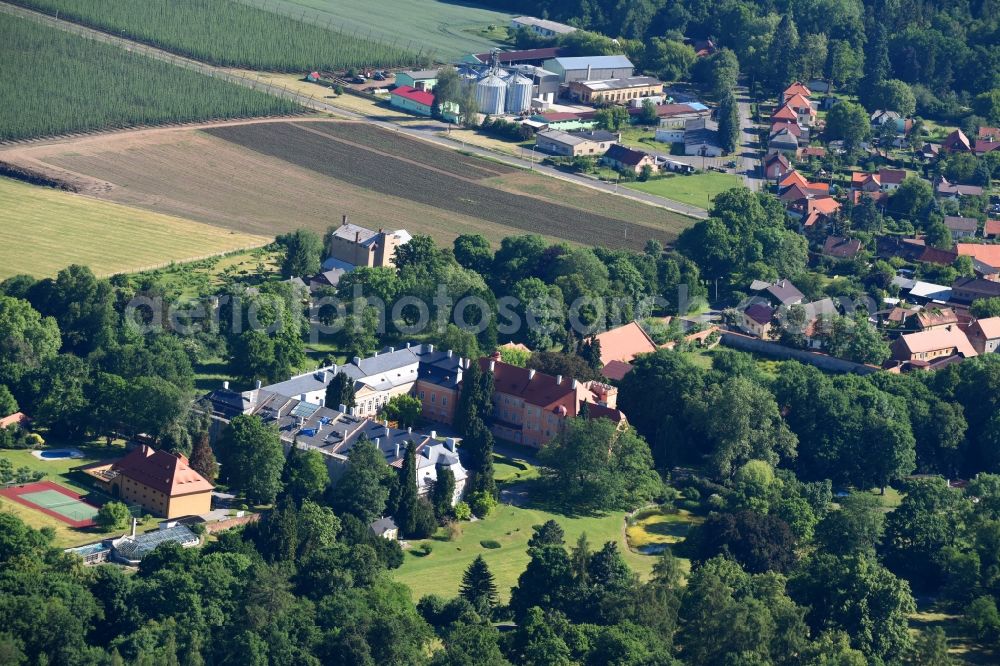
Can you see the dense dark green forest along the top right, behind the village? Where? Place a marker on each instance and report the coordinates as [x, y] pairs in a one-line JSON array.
[[946, 51]]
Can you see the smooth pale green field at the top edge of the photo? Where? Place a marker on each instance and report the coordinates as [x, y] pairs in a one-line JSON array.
[[449, 30]]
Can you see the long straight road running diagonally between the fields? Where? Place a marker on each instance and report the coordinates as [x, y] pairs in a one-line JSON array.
[[427, 131]]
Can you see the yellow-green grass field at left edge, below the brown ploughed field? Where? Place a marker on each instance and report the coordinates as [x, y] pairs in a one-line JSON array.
[[46, 230]]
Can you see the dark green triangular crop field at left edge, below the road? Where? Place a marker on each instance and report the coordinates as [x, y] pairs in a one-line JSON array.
[[62, 82]]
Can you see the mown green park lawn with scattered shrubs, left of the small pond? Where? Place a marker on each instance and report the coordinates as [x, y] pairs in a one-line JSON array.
[[441, 571]]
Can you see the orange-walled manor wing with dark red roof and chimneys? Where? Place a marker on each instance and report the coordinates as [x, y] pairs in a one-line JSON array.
[[530, 407]]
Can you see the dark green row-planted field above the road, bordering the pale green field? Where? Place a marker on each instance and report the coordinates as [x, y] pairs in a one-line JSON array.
[[233, 34]]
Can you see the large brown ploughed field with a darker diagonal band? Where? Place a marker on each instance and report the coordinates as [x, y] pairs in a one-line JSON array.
[[273, 176]]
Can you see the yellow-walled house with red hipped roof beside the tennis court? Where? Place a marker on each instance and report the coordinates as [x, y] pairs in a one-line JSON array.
[[162, 483]]
